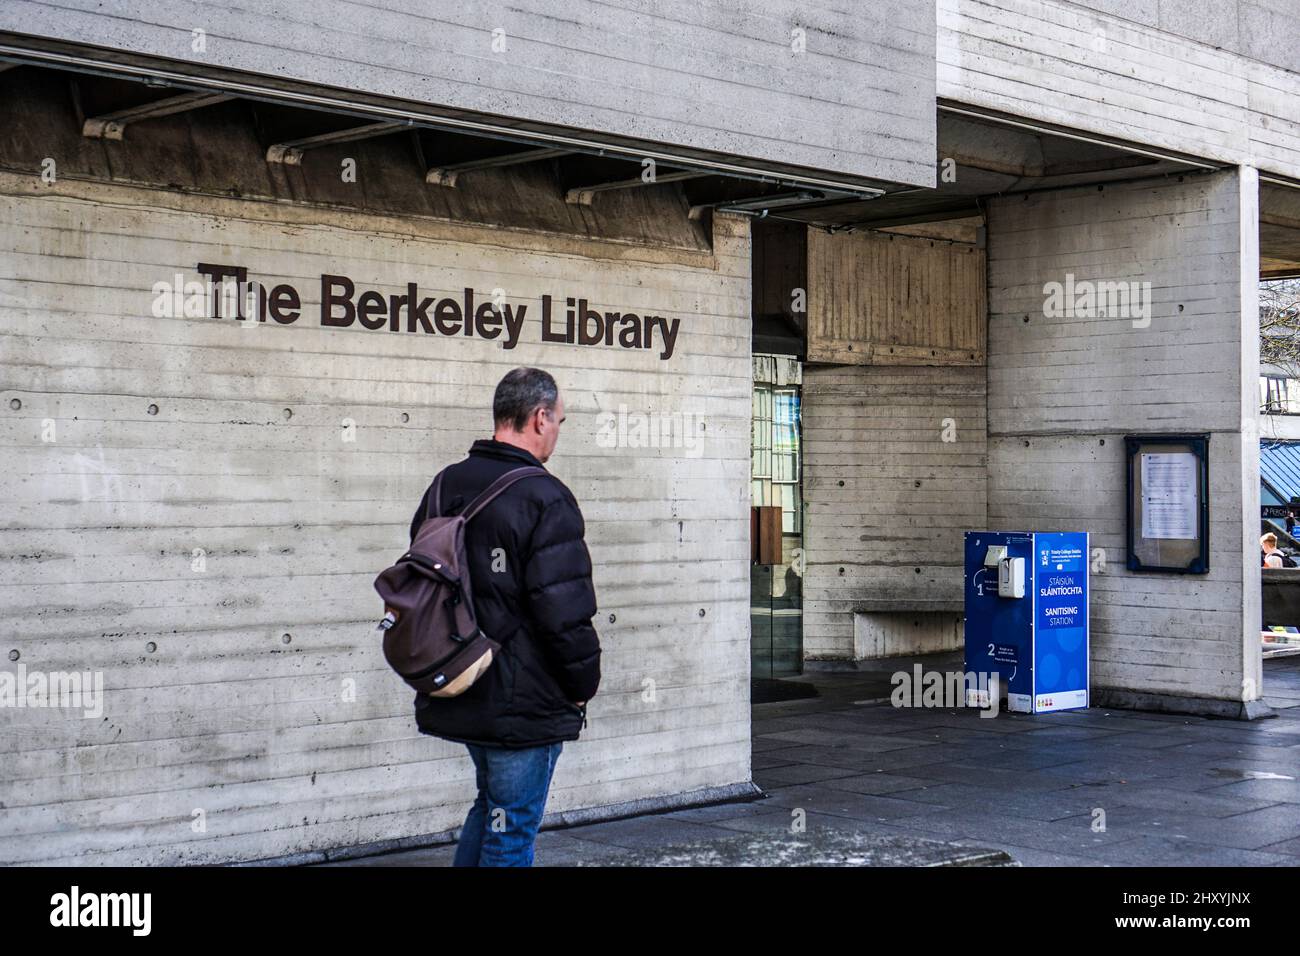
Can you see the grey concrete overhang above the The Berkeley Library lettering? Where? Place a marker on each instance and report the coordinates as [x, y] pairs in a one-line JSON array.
[[851, 94]]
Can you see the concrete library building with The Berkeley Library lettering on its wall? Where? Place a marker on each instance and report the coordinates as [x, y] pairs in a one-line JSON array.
[[778, 256]]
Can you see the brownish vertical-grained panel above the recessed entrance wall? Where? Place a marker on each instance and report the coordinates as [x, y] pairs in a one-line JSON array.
[[881, 300]]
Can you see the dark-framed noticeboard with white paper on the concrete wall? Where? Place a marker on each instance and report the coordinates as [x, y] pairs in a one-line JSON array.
[[1168, 508]]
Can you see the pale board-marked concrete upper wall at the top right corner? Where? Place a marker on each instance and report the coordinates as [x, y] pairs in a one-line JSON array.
[[1087, 71]]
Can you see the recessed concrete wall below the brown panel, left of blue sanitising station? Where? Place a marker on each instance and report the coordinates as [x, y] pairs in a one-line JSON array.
[[895, 471]]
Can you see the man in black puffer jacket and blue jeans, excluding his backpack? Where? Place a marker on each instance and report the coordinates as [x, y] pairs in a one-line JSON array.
[[532, 592]]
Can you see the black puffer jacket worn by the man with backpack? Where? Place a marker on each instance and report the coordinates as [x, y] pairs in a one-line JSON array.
[[532, 587]]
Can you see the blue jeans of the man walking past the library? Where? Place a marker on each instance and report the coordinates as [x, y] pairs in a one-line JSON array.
[[502, 824]]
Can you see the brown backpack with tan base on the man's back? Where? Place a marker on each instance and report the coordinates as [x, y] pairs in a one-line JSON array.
[[431, 637]]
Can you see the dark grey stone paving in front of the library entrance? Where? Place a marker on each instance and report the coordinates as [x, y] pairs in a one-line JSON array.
[[912, 786]]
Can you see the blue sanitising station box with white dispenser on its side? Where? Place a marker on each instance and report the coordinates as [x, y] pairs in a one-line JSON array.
[[1028, 616]]
